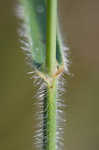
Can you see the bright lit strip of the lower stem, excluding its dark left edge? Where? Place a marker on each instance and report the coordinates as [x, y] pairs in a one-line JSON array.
[[51, 124]]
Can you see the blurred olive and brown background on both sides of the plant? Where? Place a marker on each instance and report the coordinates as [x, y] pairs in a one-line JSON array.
[[80, 25]]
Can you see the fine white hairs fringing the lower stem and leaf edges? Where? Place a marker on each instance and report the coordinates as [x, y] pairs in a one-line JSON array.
[[40, 85]]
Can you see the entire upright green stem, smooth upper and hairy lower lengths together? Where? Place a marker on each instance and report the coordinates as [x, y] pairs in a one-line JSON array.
[[50, 100]]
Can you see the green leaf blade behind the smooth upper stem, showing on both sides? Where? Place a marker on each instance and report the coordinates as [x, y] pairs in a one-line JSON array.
[[35, 21]]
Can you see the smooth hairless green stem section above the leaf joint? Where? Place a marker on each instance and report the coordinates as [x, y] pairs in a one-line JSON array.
[[51, 36]]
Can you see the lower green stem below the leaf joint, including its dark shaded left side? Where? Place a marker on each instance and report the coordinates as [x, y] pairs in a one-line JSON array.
[[49, 124]]
